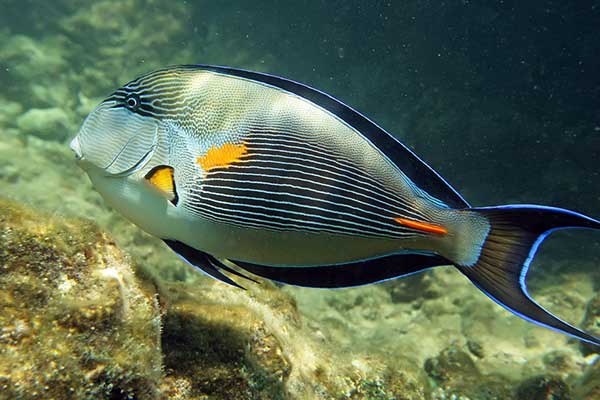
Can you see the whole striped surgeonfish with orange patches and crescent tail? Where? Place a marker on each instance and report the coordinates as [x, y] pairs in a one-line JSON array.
[[245, 173]]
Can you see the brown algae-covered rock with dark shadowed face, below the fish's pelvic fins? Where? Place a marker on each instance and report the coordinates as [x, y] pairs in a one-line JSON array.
[[222, 351]]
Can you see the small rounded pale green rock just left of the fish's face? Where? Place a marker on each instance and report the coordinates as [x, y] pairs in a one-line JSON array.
[[47, 123]]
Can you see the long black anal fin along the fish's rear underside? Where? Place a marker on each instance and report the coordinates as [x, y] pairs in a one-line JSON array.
[[348, 275]]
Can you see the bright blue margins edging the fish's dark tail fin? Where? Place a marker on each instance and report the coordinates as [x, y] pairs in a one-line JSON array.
[[593, 224]]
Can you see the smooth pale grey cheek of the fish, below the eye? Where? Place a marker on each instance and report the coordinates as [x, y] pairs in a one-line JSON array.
[[117, 139]]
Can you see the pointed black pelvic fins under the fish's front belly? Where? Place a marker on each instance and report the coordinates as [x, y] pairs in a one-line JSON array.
[[205, 262]]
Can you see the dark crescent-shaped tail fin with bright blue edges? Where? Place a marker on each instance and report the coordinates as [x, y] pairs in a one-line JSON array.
[[502, 266]]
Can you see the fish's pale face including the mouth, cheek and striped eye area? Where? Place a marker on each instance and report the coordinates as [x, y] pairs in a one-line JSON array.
[[117, 137]]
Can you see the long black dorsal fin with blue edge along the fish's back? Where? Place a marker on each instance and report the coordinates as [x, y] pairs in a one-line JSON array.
[[408, 162]]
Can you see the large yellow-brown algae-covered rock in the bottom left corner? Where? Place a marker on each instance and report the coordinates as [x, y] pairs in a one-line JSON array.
[[75, 322]]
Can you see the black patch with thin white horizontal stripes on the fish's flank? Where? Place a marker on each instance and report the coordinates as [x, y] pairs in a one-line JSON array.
[[286, 183]]
